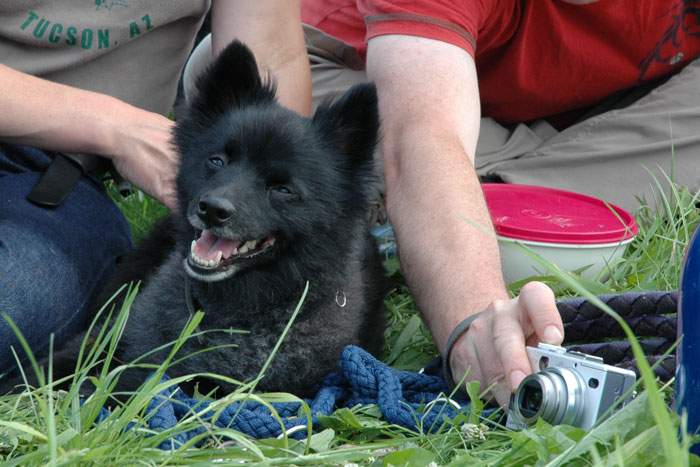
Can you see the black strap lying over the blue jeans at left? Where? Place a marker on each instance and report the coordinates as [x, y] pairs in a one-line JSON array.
[[60, 178]]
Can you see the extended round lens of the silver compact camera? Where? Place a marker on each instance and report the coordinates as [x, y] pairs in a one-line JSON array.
[[554, 394]]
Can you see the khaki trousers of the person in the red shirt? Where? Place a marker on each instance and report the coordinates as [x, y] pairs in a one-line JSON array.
[[614, 155]]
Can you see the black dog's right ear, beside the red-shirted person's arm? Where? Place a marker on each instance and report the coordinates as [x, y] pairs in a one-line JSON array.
[[353, 122]]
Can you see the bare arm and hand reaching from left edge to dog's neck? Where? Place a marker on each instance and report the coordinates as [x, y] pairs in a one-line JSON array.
[[57, 117]]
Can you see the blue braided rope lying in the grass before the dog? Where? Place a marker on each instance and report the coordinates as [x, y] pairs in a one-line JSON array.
[[413, 400]]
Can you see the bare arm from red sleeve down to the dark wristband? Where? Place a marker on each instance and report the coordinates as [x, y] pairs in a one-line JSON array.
[[449, 253]]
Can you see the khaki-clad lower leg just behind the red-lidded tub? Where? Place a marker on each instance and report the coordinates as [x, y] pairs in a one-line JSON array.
[[610, 155]]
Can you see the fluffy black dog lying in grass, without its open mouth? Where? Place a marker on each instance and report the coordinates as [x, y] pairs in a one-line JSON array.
[[305, 182]]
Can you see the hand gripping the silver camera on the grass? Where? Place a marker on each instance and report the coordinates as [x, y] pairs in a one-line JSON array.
[[493, 349]]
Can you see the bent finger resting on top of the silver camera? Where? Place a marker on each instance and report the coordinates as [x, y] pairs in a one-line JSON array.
[[540, 314]]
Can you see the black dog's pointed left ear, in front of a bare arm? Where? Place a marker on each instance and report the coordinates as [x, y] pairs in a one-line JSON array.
[[231, 81]]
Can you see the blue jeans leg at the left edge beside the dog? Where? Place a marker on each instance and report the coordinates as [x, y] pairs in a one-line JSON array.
[[52, 261]]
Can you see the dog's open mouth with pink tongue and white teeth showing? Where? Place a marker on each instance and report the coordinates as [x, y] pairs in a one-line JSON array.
[[213, 258]]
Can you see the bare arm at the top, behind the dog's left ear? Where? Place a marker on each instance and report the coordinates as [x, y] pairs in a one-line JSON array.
[[272, 29]]
